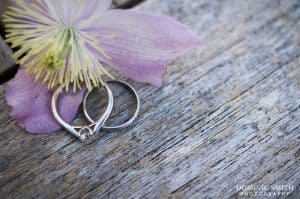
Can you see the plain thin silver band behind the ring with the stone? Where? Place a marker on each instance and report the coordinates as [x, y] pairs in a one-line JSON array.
[[121, 126]]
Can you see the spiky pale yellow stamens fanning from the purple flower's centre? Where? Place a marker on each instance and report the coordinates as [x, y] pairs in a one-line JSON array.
[[52, 50]]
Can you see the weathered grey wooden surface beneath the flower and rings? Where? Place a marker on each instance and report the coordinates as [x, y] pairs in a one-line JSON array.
[[227, 115]]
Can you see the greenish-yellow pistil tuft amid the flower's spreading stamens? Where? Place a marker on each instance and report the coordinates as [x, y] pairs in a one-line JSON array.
[[59, 50]]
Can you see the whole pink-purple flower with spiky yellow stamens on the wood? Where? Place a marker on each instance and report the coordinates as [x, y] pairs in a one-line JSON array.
[[66, 42]]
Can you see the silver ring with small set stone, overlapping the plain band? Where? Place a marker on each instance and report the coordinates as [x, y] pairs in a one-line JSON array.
[[83, 132]]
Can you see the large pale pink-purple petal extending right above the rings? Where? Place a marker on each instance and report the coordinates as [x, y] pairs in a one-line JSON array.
[[143, 44]]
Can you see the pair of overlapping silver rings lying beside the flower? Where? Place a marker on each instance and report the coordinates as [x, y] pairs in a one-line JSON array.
[[87, 131]]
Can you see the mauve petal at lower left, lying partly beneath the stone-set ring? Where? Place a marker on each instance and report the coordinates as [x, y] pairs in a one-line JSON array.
[[31, 103]]
